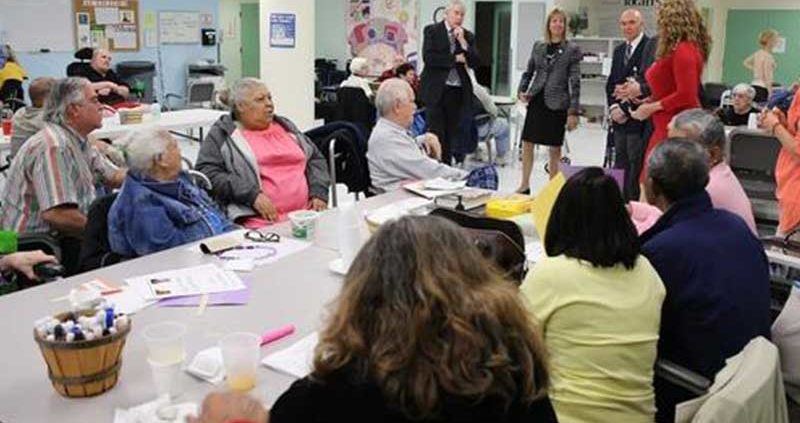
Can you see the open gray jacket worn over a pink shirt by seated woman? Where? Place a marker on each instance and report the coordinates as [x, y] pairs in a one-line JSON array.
[[227, 160]]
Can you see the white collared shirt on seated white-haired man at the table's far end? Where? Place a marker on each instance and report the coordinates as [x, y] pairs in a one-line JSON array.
[[395, 157]]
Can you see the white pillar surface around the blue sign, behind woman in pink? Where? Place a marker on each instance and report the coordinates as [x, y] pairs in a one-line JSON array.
[[289, 72]]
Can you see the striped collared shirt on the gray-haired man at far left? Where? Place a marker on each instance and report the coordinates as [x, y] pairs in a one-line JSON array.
[[54, 167]]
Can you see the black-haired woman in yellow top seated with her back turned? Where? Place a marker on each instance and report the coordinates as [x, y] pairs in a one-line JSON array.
[[599, 303]]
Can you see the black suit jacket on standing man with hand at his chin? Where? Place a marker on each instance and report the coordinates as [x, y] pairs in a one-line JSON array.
[[439, 60]]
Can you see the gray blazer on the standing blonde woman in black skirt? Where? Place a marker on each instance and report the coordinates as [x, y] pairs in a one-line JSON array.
[[560, 79]]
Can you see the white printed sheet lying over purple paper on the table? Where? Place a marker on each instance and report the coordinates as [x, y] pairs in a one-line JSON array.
[[203, 279]]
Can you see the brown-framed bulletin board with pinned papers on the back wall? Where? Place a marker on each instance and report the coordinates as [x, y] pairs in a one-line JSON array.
[[110, 24]]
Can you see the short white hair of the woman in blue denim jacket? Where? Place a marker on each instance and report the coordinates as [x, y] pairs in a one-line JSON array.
[[143, 147]]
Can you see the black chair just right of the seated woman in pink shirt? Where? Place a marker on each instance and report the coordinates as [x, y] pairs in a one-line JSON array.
[[345, 147]]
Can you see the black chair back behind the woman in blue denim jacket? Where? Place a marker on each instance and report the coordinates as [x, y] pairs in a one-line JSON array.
[[95, 250]]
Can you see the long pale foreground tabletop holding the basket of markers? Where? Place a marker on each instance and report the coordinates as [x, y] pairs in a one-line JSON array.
[[293, 290]]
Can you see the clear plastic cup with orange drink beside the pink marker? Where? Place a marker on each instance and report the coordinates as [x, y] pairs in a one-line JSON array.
[[240, 354]]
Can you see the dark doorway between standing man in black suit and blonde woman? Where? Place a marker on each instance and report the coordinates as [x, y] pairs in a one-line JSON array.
[[493, 38]]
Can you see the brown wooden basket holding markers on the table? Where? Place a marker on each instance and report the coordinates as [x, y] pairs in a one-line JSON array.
[[83, 368]]
